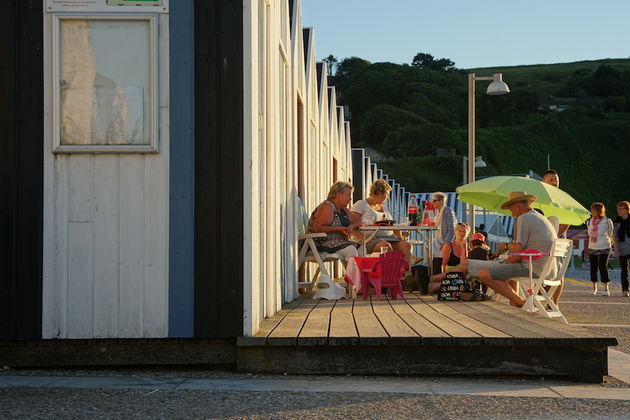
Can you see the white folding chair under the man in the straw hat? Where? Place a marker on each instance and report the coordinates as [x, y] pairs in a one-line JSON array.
[[538, 291]]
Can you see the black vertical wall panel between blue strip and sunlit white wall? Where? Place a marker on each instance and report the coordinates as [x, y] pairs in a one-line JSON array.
[[219, 168]]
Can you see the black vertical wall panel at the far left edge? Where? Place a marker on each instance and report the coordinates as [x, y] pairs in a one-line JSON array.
[[21, 169]]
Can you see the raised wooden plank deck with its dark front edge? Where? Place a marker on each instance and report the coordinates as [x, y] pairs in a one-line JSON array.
[[420, 336]]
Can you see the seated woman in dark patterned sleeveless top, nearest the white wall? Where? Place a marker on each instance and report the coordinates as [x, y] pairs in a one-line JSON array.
[[332, 217]]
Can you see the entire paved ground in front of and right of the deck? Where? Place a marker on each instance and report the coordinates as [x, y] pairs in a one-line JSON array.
[[203, 394]]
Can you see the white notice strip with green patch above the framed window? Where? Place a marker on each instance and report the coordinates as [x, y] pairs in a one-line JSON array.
[[155, 6]]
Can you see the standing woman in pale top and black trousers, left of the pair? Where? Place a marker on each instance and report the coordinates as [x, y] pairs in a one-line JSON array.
[[600, 231]]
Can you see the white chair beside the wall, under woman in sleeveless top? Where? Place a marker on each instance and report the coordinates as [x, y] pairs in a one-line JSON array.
[[308, 250]]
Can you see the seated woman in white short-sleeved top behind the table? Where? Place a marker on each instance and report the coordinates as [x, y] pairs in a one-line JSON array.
[[372, 210]]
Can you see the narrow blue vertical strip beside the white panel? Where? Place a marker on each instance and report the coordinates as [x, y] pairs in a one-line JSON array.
[[182, 169]]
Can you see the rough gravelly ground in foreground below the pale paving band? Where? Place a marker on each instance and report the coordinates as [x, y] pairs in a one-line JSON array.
[[134, 403]]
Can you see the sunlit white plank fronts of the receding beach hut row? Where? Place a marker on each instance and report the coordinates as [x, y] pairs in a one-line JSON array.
[[287, 110]]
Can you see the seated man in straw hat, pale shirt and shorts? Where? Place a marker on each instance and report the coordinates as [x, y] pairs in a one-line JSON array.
[[533, 231]]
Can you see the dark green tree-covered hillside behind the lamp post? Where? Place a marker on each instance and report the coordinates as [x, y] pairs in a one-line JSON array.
[[417, 114]]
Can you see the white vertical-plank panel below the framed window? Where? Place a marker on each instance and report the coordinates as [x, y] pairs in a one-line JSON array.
[[105, 251]]
